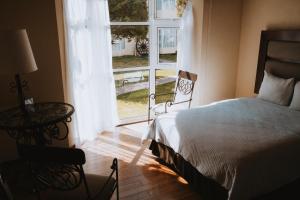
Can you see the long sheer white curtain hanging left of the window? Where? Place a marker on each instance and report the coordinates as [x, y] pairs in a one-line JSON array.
[[89, 71]]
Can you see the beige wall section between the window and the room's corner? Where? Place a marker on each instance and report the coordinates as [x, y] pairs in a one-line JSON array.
[[217, 37]]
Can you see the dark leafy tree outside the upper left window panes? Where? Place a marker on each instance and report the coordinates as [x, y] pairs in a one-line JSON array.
[[129, 11]]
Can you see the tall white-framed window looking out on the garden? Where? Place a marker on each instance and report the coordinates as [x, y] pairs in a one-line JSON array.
[[144, 38]]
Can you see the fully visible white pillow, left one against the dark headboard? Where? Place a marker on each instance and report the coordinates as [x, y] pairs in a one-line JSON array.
[[276, 90]]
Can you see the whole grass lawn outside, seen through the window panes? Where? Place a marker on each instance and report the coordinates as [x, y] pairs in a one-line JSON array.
[[135, 103]]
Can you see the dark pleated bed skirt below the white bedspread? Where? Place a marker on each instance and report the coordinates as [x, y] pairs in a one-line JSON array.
[[207, 188]]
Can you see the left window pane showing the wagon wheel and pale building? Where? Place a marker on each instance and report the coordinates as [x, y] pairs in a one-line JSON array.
[[130, 46]]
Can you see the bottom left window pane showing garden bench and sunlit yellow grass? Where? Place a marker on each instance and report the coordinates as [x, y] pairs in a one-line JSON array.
[[132, 92]]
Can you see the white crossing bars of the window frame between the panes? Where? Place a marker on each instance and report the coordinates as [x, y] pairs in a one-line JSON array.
[[154, 24]]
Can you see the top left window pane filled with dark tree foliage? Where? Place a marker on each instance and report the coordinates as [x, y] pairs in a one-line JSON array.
[[128, 10]]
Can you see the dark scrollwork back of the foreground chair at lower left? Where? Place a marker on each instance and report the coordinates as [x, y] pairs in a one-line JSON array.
[[54, 167]]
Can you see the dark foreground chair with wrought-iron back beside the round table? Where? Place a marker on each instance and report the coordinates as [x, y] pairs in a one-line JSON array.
[[57, 173]]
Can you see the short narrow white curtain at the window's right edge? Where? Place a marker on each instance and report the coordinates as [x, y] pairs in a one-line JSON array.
[[185, 46]]
